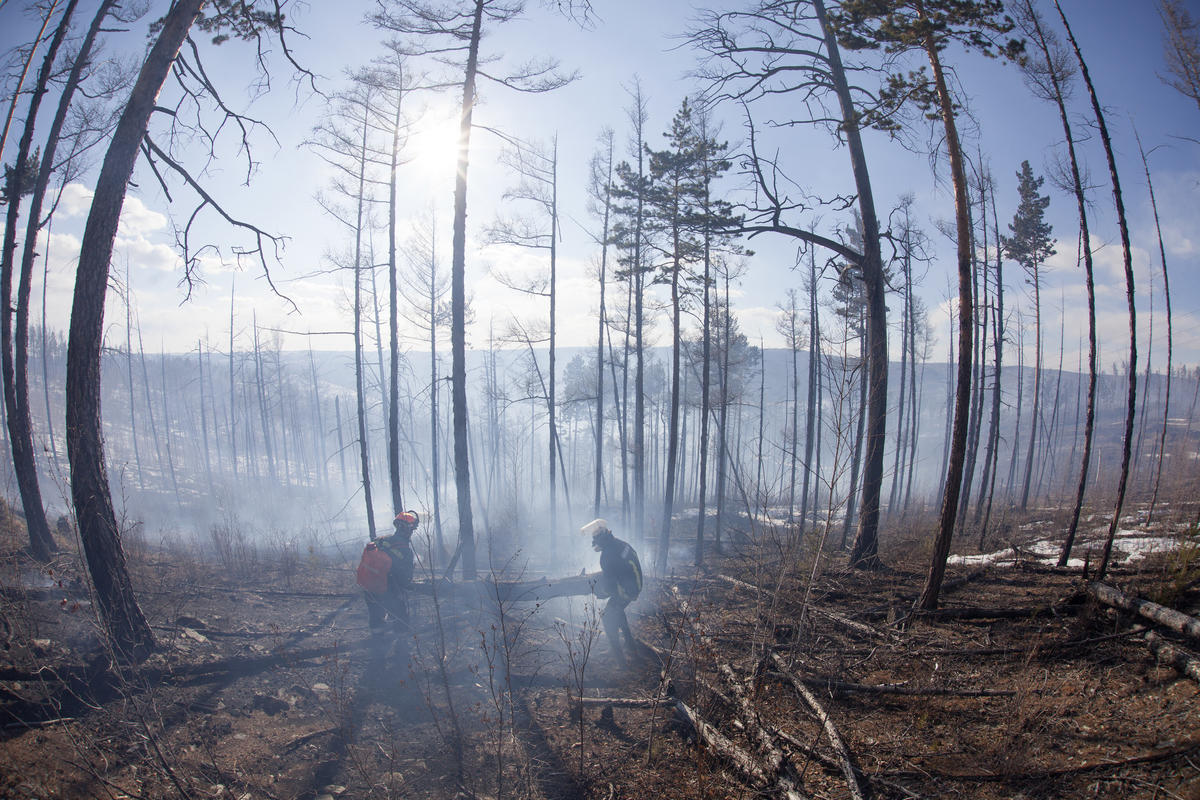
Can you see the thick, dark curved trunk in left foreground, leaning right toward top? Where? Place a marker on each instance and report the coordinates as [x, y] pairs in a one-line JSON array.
[[99, 533]]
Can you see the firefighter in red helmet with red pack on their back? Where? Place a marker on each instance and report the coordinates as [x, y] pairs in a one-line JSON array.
[[386, 581]]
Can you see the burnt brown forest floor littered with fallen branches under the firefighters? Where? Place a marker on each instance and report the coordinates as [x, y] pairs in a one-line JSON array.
[[265, 687]]
